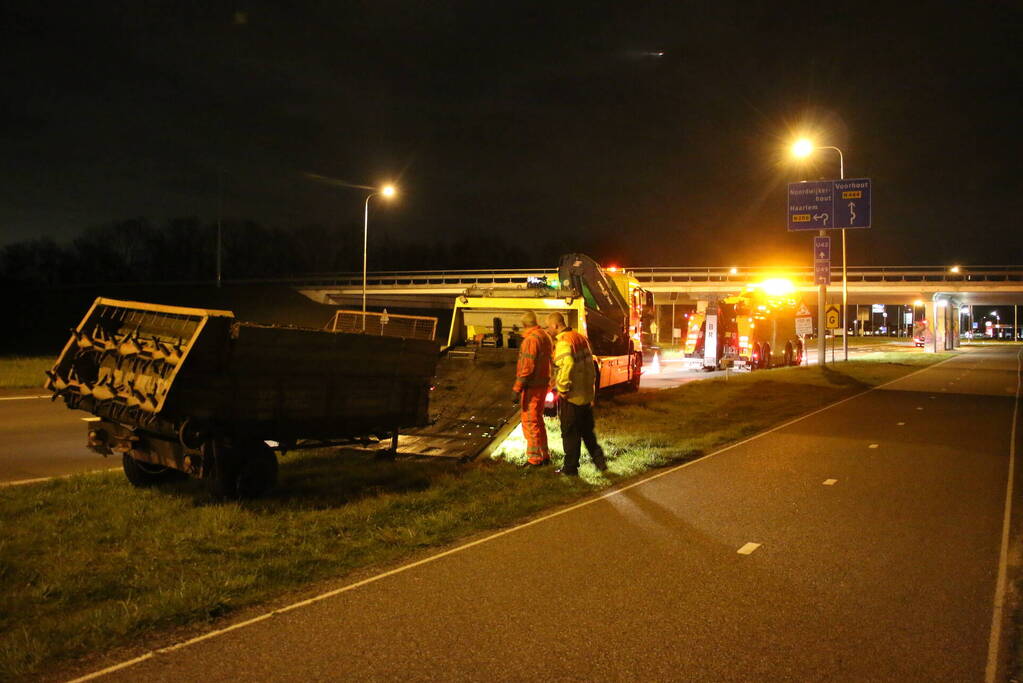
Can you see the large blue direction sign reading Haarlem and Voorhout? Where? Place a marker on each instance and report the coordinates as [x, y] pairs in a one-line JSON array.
[[827, 205]]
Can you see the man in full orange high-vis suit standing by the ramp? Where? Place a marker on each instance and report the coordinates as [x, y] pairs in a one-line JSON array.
[[532, 378]]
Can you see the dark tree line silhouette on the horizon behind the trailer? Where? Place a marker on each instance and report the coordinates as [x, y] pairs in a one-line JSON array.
[[186, 251]]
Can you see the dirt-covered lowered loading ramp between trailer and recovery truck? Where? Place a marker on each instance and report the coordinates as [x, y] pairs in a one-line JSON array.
[[470, 408]]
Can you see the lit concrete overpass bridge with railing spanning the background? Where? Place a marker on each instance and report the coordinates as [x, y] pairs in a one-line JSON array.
[[933, 293]]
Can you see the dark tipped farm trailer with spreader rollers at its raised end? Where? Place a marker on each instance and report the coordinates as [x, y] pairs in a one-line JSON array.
[[194, 391]]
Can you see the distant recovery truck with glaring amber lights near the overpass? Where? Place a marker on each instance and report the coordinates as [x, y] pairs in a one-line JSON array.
[[757, 330]]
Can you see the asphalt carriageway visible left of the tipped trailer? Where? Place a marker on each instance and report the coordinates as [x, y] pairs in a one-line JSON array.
[[40, 439]]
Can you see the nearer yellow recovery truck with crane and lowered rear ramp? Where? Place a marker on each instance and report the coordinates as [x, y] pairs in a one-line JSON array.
[[470, 413]]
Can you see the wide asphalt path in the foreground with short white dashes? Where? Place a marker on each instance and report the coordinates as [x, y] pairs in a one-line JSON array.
[[880, 527]]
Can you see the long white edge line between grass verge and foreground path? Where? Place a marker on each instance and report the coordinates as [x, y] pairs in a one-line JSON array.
[[472, 544]]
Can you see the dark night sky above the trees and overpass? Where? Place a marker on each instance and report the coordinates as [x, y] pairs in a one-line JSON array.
[[641, 132]]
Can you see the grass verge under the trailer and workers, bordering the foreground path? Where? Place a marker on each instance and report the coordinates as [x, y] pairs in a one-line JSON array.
[[88, 564]]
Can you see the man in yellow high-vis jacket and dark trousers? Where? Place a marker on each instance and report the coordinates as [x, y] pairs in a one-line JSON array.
[[575, 381]]
